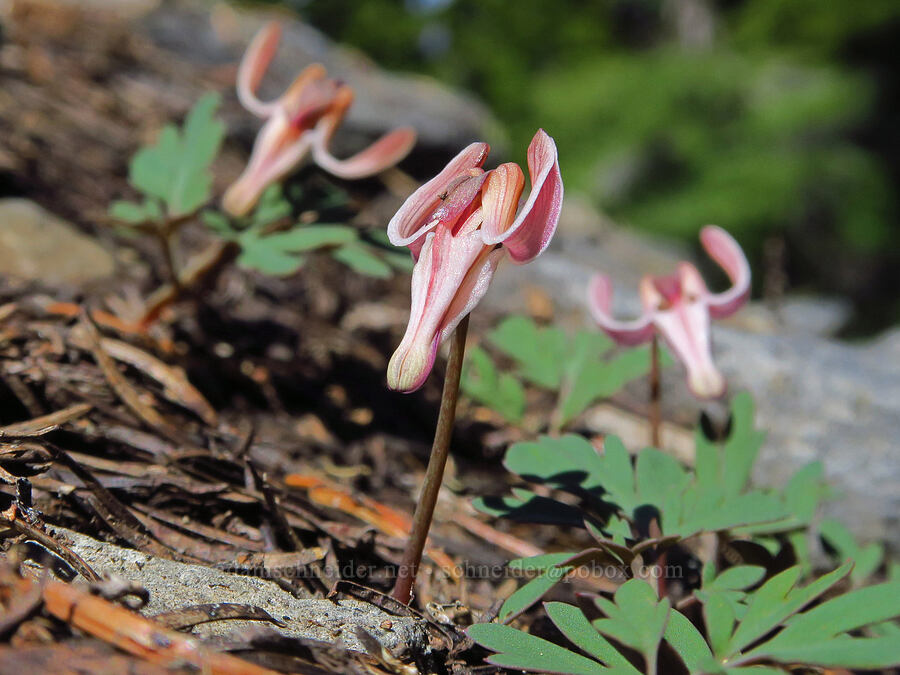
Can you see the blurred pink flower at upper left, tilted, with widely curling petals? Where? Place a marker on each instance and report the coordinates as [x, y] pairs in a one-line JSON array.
[[303, 120]]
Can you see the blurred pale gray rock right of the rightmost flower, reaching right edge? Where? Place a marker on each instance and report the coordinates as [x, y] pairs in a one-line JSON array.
[[820, 399]]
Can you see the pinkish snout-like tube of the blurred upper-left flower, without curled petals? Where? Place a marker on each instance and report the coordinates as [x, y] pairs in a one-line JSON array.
[[277, 150]]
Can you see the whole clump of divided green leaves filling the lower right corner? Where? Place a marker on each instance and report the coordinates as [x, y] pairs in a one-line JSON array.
[[744, 619]]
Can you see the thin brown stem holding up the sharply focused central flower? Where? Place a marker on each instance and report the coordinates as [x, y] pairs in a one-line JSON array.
[[434, 474]]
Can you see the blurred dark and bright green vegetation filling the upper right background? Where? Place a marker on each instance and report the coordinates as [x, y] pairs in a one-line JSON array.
[[777, 119]]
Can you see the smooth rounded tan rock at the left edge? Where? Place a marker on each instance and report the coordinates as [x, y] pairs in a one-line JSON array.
[[37, 246]]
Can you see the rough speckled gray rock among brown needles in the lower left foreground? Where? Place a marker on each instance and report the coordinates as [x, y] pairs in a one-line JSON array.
[[173, 585]]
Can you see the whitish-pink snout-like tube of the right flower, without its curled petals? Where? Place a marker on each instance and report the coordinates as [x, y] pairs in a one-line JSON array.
[[685, 328]]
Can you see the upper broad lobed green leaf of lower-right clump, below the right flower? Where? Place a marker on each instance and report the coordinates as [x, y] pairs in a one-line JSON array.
[[715, 496]]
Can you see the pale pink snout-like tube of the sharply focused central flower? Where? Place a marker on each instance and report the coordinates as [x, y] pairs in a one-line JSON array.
[[450, 277]]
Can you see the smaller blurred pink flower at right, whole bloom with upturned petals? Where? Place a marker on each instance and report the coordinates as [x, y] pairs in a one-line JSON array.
[[679, 308]]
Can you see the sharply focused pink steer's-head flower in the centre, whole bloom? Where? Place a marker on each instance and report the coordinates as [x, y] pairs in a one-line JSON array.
[[458, 226]]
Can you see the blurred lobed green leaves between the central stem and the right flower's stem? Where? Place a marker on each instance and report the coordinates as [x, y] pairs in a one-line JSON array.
[[579, 368]]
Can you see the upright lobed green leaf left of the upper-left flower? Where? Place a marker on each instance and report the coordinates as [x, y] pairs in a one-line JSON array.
[[173, 173]]
